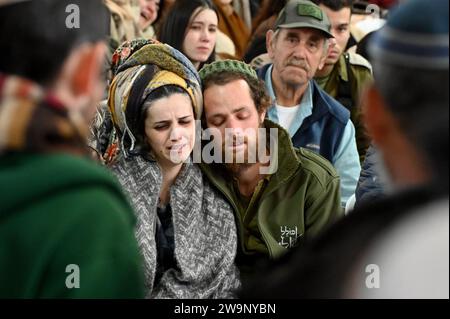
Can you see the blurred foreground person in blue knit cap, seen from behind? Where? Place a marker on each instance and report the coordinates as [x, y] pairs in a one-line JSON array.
[[396, 247]]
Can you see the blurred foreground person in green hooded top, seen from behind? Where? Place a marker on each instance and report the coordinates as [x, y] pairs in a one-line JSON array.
[[65, 225]]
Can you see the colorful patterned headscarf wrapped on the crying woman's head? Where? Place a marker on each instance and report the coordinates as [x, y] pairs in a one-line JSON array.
[[140, 67]]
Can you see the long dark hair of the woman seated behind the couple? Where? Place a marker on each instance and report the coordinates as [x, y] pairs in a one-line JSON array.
[[174, 26]]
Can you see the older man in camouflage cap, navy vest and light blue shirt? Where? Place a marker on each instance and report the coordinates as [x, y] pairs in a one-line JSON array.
[[298, 47]]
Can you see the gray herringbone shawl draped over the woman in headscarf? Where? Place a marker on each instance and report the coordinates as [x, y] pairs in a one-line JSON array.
[[204, 230]]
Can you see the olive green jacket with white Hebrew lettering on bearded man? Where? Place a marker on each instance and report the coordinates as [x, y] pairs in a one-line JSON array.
[[296, 202]]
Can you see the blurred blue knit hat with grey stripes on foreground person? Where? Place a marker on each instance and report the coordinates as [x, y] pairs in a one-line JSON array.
[[415, 35]]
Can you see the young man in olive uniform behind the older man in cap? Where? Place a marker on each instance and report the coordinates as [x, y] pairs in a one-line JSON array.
[[345, 74]]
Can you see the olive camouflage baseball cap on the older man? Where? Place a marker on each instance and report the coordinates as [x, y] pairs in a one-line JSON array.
[[303, 14]]
